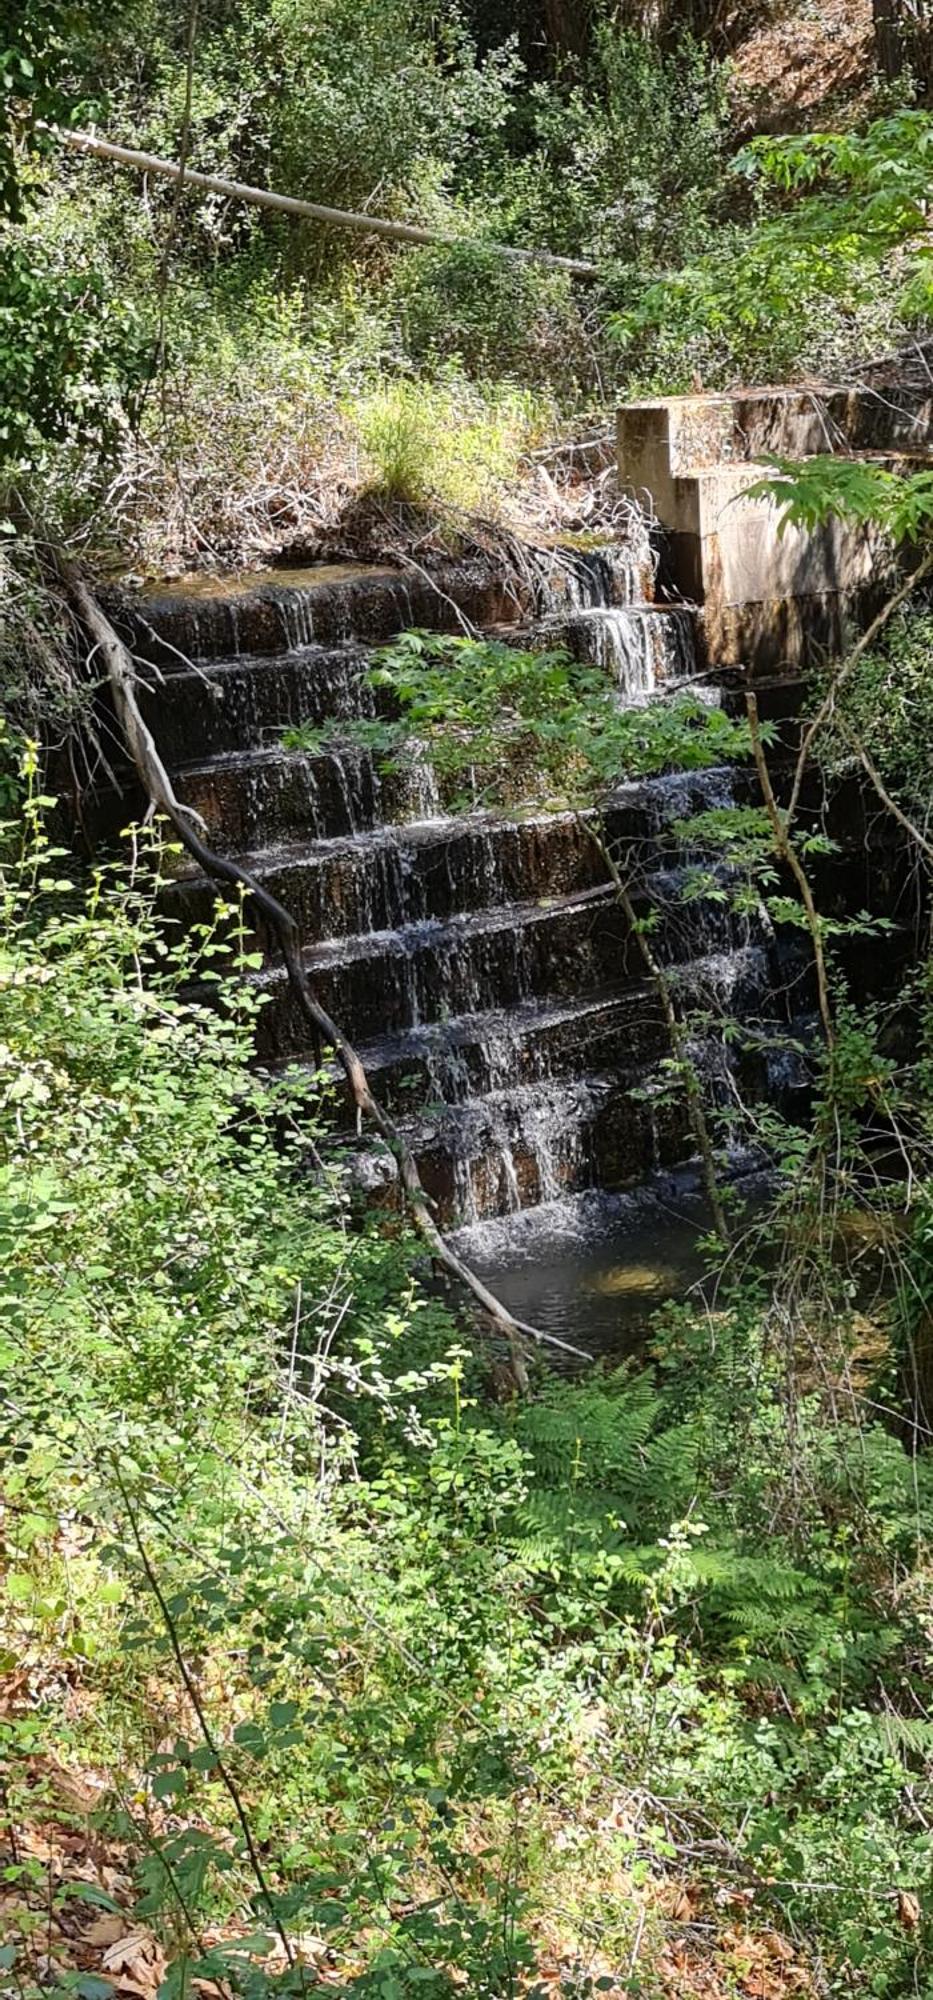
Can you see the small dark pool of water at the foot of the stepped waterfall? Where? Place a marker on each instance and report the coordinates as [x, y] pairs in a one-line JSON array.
[[596, 1267]]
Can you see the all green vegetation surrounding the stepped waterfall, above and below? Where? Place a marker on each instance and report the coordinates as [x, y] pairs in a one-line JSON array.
[[329, 1663]]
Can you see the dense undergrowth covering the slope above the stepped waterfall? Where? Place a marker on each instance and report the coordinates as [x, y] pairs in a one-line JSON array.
[[241, 375]]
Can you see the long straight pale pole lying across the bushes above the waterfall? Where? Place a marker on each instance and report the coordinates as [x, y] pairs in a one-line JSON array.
[[291, 205]]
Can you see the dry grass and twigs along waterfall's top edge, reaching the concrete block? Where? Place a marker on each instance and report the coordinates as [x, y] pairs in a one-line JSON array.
[[235, 463]]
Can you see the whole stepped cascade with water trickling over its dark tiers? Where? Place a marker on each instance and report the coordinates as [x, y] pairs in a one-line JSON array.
[[484, 963]]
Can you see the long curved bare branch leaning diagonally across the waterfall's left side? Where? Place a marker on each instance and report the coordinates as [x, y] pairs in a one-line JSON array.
[[159, 789]]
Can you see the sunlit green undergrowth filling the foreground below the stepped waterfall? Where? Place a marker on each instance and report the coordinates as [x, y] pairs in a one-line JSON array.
[[357, 1677]]
